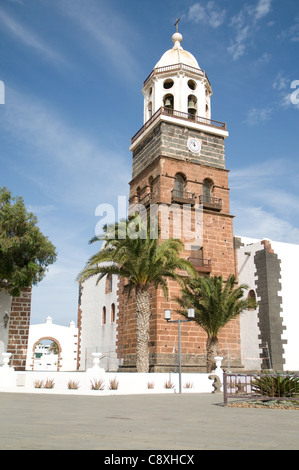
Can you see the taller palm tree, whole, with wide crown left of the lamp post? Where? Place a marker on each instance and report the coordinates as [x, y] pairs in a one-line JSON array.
[[143, 262]]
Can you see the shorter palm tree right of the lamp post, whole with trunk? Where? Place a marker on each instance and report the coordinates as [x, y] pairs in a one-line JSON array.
[[215, 303]]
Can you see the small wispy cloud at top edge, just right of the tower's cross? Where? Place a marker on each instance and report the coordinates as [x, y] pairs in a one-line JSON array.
[[209, 13]]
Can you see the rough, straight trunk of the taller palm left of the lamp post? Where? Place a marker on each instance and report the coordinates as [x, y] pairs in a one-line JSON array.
[[142, 329]]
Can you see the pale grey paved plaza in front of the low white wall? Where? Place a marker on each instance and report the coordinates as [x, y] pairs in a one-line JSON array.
[[141, 422]]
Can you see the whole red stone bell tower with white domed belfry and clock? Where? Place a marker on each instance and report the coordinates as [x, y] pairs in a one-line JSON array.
[[179, 160]]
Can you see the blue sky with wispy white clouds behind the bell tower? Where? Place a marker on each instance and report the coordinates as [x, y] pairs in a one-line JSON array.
[[73, 72]]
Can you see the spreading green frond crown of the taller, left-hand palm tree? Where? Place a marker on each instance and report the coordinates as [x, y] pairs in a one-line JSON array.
[[142, 260]]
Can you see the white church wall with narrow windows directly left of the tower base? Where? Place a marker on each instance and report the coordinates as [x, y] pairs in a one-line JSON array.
[[97, 336]]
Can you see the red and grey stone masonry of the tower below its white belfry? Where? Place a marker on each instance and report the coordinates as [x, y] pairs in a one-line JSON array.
[[156, 161]]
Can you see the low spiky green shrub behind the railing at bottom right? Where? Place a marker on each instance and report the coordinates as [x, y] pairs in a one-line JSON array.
[[276, 385]]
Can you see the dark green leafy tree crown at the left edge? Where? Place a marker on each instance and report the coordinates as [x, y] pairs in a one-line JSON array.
[[25, 253]]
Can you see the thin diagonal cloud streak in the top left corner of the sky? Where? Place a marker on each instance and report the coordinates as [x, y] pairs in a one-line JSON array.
[[30, 39]]
